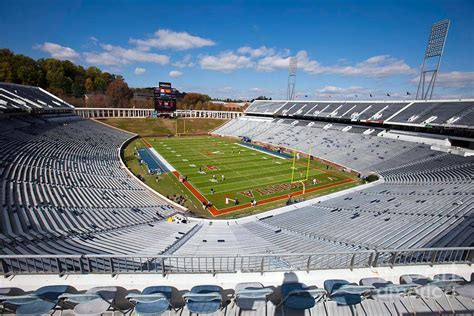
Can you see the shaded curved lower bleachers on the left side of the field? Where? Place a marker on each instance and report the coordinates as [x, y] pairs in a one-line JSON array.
[[64, 190]]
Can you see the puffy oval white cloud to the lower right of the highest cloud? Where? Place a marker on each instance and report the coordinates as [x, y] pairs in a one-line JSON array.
[[225, 62]]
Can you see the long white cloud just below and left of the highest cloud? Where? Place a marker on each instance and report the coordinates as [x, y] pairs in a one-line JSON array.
[[116, 55]]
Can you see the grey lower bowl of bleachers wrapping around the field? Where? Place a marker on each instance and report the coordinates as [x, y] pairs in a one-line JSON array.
[[65, 191]]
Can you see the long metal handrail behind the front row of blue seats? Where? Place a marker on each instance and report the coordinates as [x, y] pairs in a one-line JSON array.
[[167, 264]]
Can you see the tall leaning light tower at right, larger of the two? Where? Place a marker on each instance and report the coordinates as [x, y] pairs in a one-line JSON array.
[[432, 60]]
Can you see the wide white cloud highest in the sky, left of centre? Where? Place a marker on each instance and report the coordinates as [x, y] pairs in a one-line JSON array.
[[168, 39]]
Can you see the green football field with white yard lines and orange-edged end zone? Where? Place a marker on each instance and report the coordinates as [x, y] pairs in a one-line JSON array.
[[220, 168]]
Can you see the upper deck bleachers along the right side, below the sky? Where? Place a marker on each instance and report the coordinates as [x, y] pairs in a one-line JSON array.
[[443, 113]]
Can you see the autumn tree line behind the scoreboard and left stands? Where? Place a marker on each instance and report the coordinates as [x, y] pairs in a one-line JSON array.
[[71, 82]]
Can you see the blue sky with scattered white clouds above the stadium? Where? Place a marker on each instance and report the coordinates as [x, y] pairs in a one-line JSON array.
[[241, 48]]
